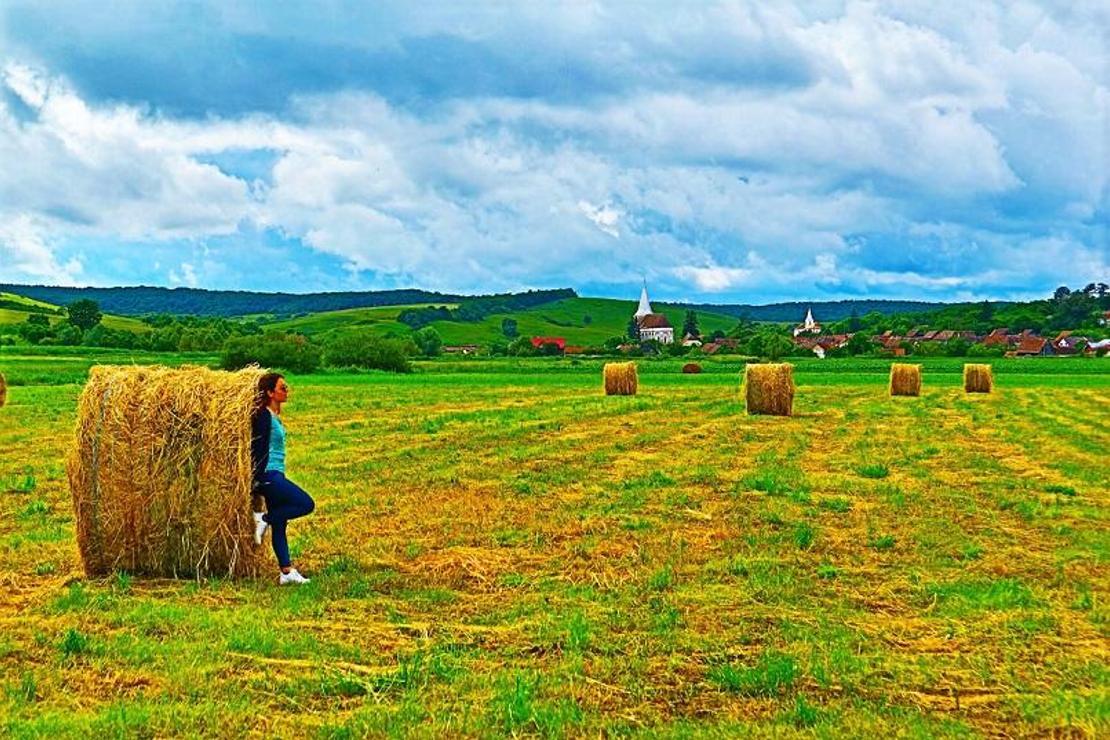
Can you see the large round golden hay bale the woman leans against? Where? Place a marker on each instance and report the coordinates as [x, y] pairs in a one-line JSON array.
[[160, 472]]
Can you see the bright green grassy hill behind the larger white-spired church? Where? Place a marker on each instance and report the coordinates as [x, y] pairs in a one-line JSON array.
[[580, 321]]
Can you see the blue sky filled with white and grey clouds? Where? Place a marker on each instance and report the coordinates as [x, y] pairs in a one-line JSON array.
[[733, 153]]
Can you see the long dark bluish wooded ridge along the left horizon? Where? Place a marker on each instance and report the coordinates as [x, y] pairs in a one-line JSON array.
[[181, 301]]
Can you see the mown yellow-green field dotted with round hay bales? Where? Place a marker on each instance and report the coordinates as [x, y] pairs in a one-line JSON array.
[[500, 550]]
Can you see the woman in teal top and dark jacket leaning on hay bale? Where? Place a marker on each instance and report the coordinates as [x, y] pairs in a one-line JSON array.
[[285, 500]]
